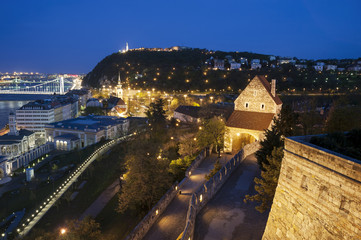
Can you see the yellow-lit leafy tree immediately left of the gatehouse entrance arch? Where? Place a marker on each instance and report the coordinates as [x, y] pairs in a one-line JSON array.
[[212, 132]]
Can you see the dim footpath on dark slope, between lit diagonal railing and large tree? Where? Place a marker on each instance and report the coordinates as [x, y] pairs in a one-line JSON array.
[[98, 205]]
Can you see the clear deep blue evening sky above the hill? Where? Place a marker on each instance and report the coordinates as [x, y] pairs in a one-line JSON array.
[[73, 35]]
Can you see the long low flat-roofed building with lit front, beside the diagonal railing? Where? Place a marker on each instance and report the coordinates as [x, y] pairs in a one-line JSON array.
[[84, 131]]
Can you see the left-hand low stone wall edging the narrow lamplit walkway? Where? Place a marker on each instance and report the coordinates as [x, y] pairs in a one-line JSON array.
[[147, 222]]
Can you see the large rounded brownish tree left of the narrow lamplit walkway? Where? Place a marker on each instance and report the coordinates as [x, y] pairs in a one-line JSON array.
[[147, 178]]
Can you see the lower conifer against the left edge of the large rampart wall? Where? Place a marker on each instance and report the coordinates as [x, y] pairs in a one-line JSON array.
[[266, 185]]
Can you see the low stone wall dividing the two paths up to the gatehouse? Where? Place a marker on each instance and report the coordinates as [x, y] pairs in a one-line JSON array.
[[203, 195]]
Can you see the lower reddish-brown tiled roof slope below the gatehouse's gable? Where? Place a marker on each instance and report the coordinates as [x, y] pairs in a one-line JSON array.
[[250, 120]]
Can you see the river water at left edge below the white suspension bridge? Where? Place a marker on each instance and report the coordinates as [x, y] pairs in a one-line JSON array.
[[11, 102]]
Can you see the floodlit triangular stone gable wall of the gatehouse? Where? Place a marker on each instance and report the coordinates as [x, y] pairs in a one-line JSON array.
[[255, 95]]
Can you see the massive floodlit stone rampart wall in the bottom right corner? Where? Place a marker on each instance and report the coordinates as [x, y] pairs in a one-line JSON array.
[[318, 195]]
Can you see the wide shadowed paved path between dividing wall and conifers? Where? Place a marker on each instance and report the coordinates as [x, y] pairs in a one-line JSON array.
[[226, 216]]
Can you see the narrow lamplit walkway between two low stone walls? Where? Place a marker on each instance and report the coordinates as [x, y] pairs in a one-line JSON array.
[[171, 223]]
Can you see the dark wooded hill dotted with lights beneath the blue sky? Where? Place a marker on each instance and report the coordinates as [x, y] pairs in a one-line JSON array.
[[191, 69]]
